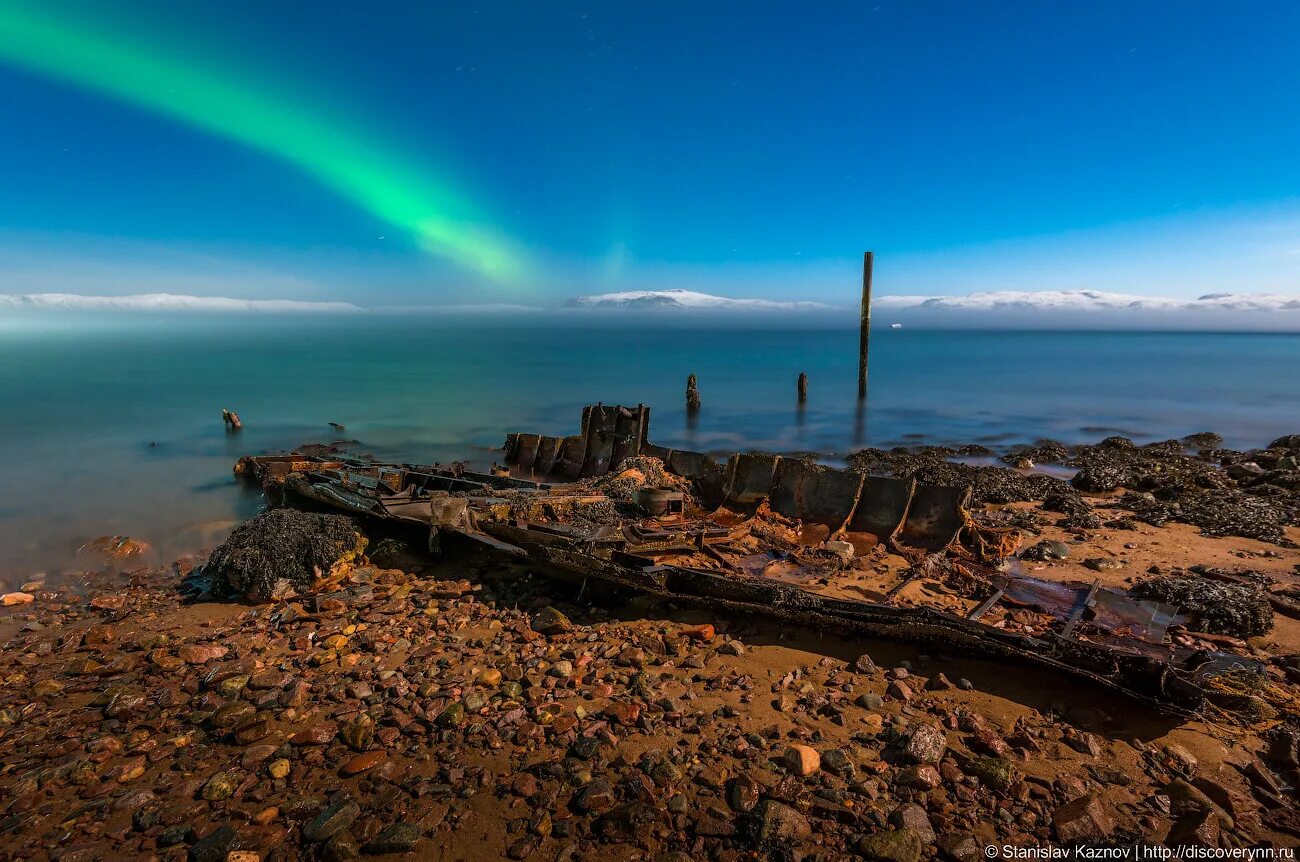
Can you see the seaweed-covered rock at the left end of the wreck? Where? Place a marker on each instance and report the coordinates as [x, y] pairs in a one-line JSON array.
[[284, 552]]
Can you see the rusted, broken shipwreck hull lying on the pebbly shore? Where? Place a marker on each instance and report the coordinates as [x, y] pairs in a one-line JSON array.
[[761, 534]]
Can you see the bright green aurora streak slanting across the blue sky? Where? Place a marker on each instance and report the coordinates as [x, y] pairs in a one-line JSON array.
[[339, 158]]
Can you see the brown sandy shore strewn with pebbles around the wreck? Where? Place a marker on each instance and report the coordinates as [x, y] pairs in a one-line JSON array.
[[480, 709]]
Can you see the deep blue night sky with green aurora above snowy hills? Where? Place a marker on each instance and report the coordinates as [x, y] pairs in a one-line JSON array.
[[509, 154]]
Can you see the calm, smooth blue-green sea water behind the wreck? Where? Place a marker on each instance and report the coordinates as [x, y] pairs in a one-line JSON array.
[[115, 428]]
